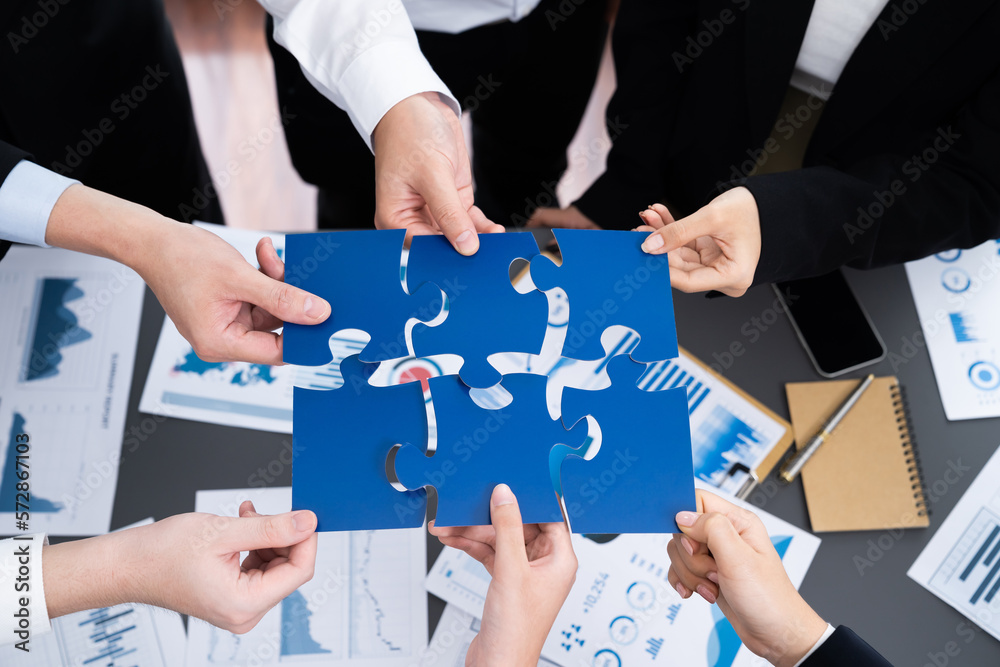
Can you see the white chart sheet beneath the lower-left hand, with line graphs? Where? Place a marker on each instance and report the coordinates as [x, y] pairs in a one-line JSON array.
[[366, 604]]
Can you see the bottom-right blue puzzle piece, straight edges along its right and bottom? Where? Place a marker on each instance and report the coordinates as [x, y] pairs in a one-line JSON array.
[[643, 473]]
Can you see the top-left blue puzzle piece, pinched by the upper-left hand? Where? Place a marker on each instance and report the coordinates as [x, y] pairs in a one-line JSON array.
[[358, 273]]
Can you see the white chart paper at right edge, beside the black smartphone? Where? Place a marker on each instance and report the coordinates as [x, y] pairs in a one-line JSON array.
[[957, 294]]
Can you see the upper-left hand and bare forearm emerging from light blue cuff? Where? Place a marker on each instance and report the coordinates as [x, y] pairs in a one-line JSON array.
[[224, 307]]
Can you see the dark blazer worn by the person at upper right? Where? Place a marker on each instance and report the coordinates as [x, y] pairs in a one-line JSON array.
[[903, 160]]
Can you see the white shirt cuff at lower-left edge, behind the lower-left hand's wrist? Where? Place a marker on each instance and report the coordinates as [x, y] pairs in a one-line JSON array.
[[23, 612]]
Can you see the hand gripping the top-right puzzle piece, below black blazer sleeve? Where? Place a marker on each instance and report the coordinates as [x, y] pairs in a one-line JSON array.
[[715, 248]]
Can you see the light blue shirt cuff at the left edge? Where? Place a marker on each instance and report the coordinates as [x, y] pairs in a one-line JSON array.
[[27, 198]]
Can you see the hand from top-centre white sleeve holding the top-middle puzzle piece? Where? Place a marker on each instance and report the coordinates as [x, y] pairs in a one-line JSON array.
[[423, 181]]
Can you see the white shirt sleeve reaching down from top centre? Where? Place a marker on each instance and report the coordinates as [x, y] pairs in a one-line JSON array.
[[362, 55]]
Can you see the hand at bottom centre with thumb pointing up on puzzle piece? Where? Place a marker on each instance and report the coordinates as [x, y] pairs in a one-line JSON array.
[[533, 569]]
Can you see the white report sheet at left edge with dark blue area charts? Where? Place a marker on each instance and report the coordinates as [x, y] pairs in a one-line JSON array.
[[67, 350]]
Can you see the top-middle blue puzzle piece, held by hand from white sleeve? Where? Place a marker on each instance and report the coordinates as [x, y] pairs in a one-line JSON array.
[[486, 314]]
